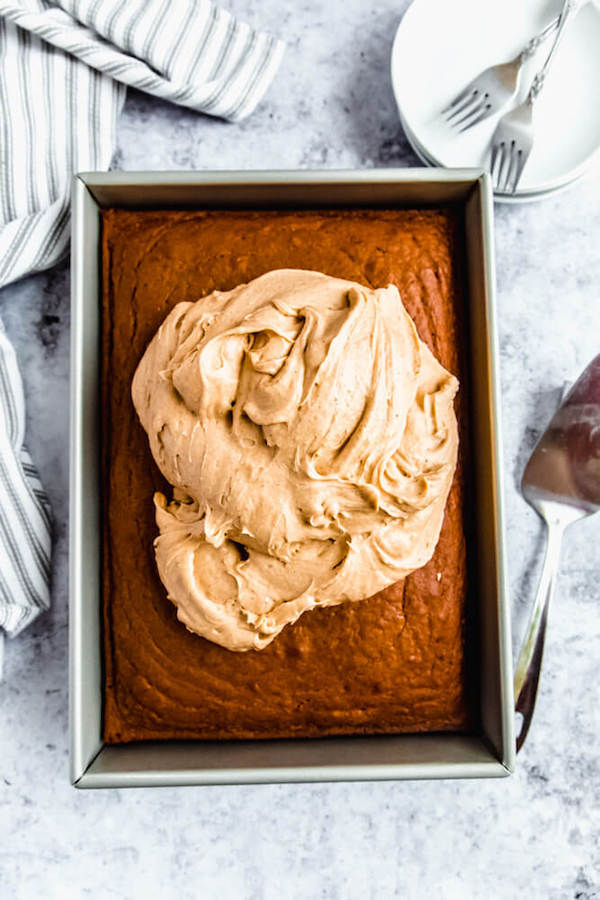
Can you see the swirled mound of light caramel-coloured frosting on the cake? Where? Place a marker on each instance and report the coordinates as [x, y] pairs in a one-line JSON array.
[[311, 441]]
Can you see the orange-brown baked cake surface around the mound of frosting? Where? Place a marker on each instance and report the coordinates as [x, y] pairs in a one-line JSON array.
[[393, 663]]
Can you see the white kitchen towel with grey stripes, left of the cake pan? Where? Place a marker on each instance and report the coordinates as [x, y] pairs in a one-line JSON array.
[[64, 68]]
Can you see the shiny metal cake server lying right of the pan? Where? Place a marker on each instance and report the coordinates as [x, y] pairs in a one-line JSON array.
[[562, 483]]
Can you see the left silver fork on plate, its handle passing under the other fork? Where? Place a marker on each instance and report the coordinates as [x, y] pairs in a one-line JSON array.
[[493, 88]]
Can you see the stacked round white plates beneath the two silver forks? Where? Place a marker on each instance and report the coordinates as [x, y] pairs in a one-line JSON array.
[[440, 46]]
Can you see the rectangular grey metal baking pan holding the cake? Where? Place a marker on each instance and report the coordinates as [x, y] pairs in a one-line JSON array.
[[489, 753]]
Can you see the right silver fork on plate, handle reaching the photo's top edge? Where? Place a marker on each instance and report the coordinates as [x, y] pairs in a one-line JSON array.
[[512, 141]]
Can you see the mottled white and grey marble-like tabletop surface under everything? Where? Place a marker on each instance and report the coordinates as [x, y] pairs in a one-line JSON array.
[[534, 835]]
